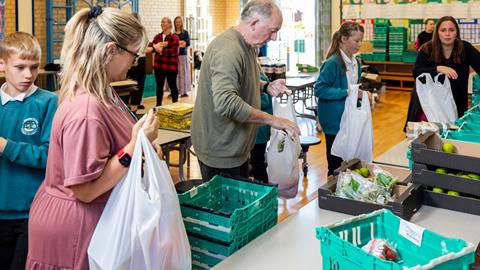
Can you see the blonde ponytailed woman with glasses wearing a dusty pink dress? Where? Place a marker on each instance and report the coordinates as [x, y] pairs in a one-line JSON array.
[[93, 135]]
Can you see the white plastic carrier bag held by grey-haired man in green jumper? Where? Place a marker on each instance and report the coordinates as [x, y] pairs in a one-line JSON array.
[[283, 152]]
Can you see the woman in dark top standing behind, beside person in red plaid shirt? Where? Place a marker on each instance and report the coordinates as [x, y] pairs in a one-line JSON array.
[[183, 79]]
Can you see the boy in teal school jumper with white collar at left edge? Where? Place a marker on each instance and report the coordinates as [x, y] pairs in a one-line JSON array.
[[26, 114]]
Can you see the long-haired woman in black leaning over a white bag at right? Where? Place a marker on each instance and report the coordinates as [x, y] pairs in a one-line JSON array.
[[450, 55]]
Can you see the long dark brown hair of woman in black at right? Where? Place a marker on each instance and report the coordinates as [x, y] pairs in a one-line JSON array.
[[434, 47]]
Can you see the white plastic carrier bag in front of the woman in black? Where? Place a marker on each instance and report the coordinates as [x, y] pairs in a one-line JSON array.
[[436, 99]]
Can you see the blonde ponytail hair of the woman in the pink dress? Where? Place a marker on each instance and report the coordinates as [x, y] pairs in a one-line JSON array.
[[84, 53]]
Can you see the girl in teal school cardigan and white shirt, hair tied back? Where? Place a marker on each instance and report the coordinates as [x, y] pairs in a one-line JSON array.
[[340, 70]]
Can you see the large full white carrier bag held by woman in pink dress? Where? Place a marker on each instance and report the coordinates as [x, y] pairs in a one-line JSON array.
[[141, 226]]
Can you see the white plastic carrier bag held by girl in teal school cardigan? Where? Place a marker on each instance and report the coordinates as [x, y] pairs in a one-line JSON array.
[[355, 136]]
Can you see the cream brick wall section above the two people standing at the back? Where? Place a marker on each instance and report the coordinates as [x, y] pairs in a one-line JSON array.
[[152, 12]]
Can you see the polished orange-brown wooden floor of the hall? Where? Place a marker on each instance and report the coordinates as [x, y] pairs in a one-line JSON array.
[[389, 115]]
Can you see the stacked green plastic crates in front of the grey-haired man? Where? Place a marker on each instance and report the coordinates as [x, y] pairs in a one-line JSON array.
[[224, 214]]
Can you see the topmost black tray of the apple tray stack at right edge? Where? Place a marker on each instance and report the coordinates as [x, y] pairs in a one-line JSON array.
[[427, 149]]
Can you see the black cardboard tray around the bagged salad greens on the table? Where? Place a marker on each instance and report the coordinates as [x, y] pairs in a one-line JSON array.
[[407, 197]]
